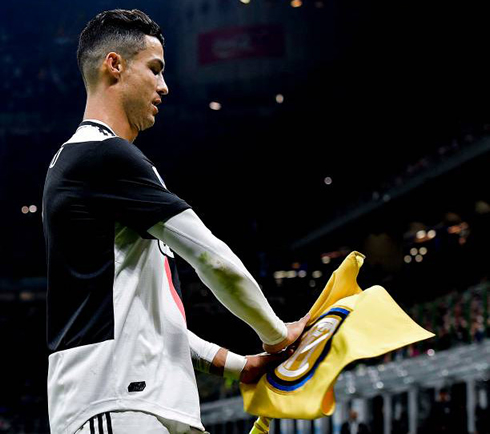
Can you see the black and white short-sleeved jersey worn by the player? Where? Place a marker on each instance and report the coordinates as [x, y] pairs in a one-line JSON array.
[[116, 325]]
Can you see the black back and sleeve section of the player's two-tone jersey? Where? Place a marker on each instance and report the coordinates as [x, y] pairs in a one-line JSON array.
[[93, 188]]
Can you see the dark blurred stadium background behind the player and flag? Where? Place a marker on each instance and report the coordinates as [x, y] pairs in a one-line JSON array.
[[298, 131]]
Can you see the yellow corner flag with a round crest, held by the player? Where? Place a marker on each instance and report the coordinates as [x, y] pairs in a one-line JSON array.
[[346, 324]]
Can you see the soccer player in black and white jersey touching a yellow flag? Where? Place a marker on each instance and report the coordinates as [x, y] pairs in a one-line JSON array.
[[121, 355]]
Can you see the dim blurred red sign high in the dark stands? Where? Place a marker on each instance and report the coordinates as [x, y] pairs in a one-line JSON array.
[[240, 43]]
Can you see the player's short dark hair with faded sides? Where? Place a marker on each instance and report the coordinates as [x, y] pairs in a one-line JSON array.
[[119, 30]]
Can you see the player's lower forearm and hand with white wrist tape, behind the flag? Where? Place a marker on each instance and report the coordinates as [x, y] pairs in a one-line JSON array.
[[210, 358]]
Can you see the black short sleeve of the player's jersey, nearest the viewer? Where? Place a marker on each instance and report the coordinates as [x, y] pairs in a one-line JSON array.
[[127, 186]]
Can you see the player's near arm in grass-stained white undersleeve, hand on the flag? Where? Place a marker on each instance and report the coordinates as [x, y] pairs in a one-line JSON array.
[[222, 272]]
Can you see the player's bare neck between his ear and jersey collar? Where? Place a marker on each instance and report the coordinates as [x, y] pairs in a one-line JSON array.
[[106, 107]]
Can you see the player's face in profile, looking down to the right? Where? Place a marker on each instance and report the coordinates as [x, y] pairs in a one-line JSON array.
[[143, 85]]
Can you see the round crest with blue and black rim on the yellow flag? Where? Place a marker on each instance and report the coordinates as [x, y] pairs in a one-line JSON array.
[[314, 346]]
